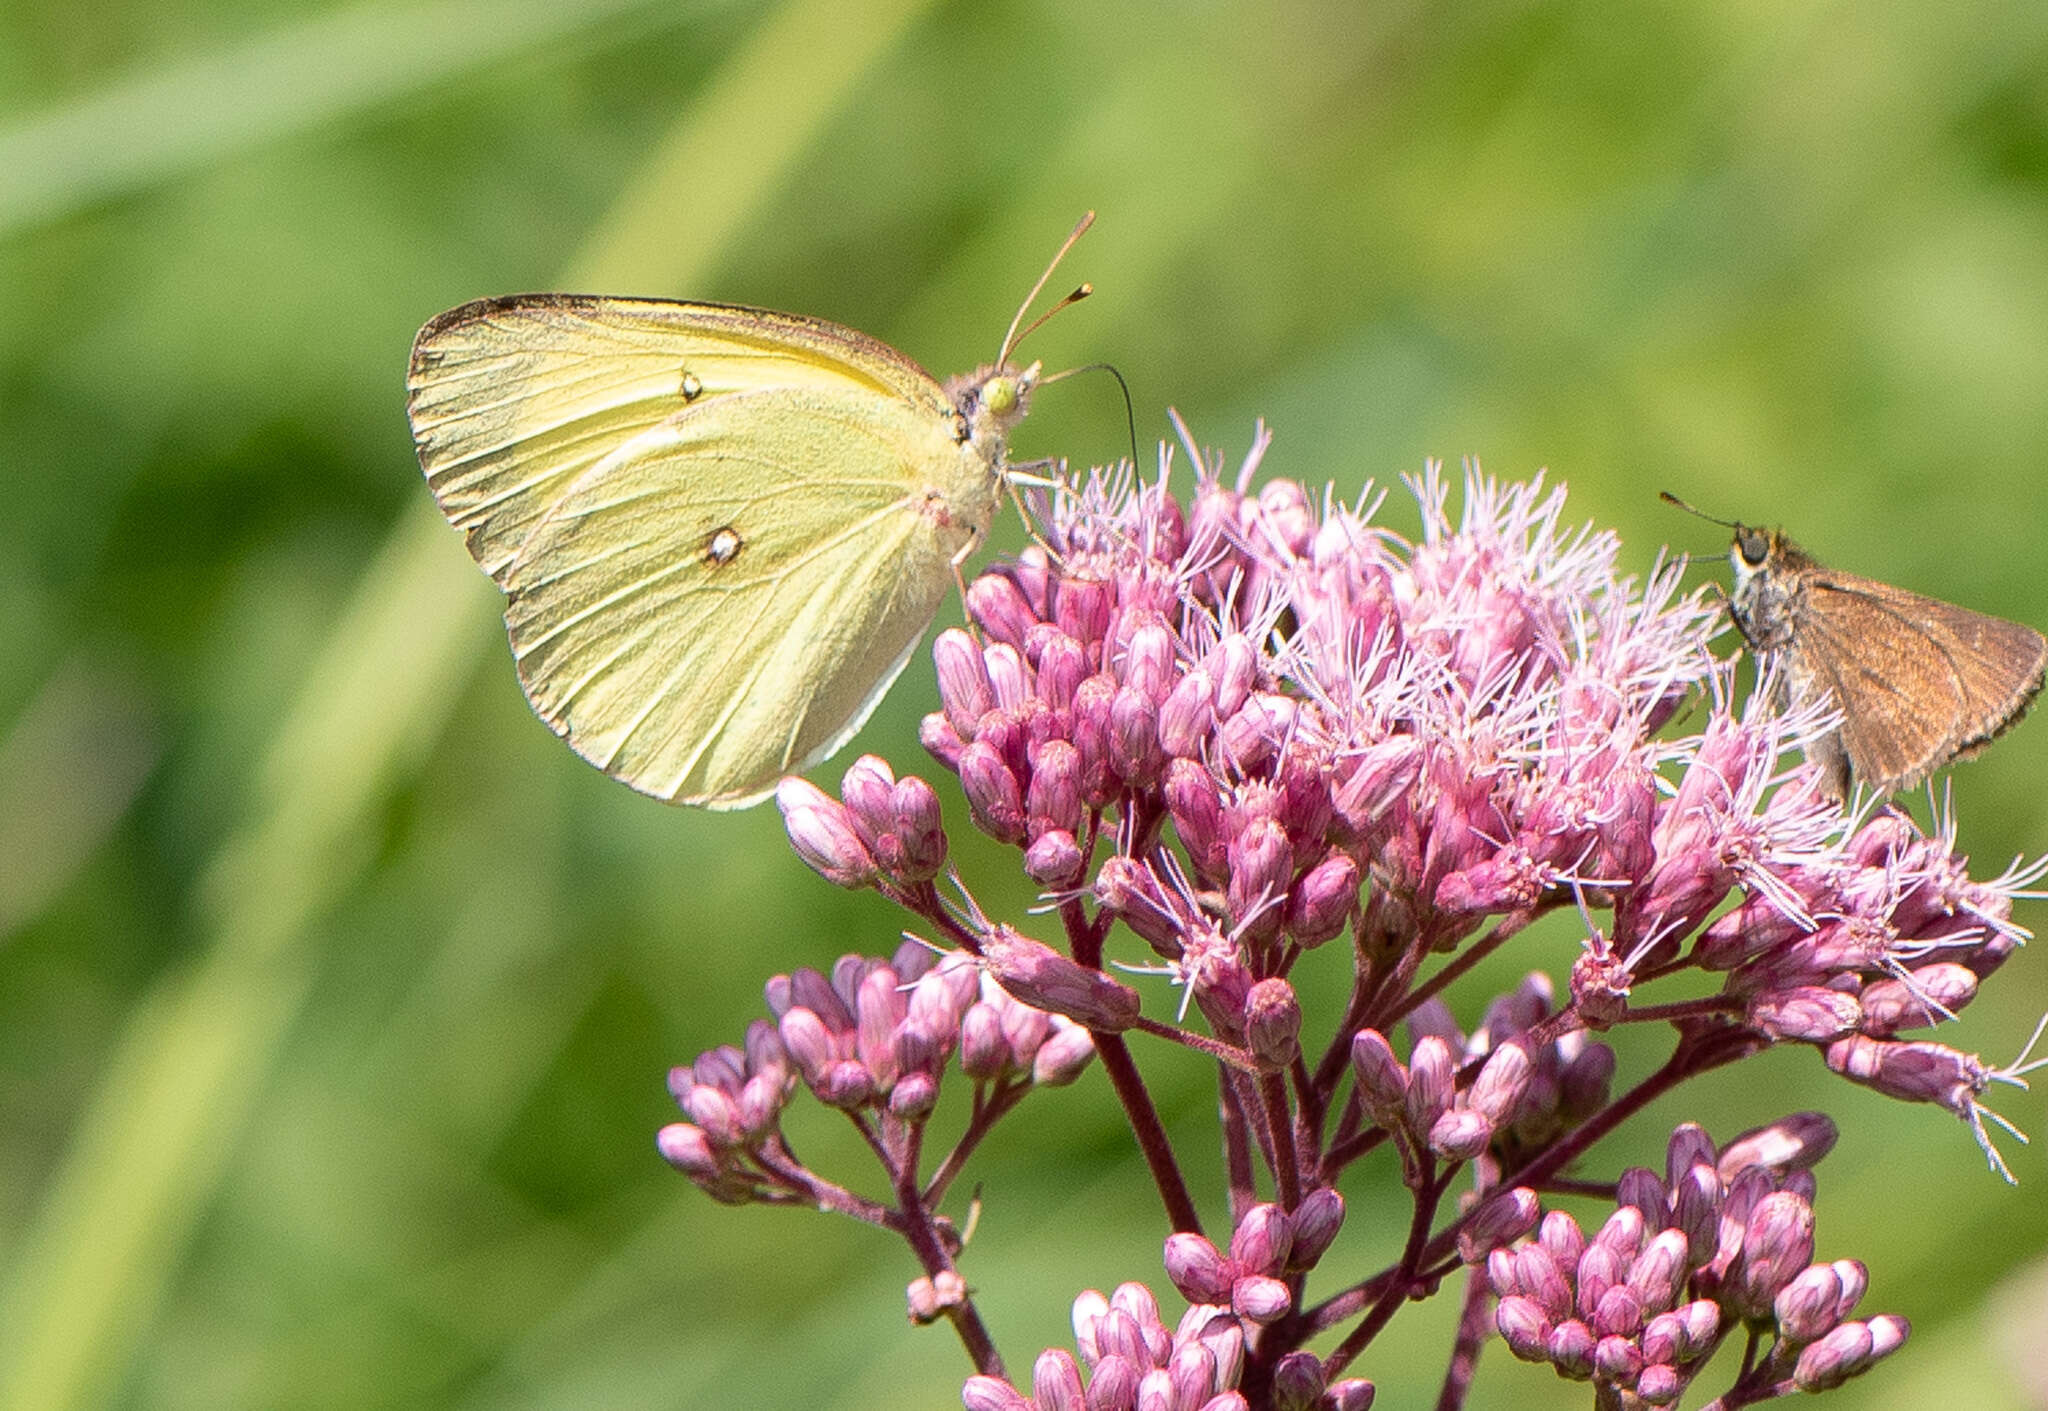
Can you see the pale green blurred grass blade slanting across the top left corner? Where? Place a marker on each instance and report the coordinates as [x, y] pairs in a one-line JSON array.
[[191, 114]]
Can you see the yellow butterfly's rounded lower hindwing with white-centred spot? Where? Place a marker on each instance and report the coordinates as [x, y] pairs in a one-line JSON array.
[[726, 597]]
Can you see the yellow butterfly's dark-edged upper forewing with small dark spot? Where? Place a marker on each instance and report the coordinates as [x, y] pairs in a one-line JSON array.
[[515, 398]]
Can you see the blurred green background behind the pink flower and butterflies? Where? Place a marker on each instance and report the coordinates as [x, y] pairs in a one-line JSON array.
[[337, 996]]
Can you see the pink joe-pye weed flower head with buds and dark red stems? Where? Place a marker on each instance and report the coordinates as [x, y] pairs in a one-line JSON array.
[[1232, 730]]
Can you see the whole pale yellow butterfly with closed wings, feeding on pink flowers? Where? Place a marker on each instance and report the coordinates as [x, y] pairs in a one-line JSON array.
[[720, 531]]
